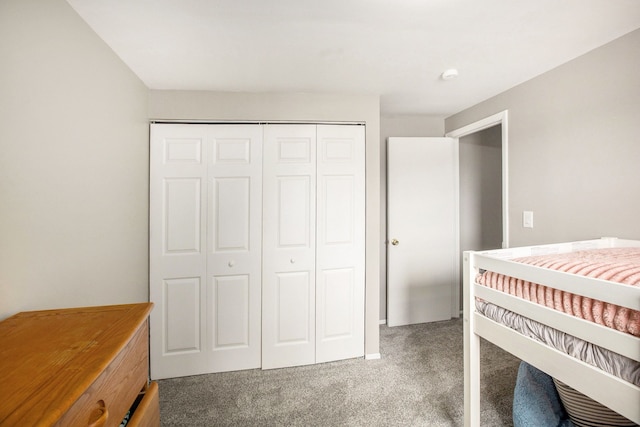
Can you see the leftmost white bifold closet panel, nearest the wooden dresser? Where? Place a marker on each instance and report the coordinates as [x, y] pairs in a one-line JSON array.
[[178, 274]]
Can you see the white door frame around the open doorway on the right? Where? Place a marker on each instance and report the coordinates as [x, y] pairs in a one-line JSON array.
[[502, 119]]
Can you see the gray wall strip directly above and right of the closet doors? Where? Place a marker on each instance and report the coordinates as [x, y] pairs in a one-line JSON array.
[[197, 105]]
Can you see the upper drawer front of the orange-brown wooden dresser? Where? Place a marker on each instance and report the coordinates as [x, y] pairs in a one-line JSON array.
[[107, 400]]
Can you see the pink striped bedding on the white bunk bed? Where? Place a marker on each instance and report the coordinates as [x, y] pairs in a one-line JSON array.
[[621, 265]]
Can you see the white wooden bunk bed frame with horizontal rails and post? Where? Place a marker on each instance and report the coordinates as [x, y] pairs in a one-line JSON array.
[[601, 384]]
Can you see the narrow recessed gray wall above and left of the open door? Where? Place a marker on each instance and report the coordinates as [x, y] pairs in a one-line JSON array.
[[406, 125]]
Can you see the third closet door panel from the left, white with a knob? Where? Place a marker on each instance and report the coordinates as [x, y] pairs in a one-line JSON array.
[[289, 218]]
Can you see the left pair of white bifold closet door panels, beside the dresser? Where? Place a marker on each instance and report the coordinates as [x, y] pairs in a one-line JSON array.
[[204, 248]]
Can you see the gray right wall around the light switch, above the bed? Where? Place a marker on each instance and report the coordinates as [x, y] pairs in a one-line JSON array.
[[574, 155]]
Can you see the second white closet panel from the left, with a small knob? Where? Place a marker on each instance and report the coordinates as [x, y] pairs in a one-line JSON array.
[[234, 247]]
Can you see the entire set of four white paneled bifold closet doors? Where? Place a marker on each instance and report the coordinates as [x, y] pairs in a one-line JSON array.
[[256, 246]]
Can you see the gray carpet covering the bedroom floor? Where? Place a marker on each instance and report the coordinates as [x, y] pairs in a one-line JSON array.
[[417, 382]]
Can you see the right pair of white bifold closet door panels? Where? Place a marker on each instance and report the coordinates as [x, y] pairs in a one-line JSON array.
[[313, 244]]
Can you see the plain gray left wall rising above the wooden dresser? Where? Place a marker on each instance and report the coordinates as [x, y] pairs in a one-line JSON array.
[[73, 168]]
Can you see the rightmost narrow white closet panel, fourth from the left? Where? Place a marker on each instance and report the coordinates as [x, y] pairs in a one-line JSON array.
[[340, 242]]
